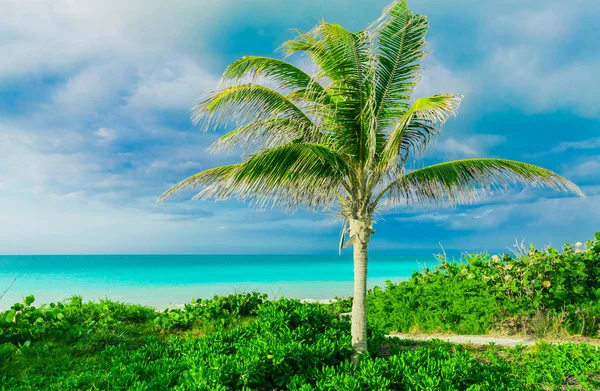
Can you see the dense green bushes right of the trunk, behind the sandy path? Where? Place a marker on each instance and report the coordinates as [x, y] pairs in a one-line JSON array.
[[543, 293]]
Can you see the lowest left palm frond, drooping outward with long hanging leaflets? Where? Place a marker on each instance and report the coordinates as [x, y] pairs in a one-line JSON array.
[[291, 175]]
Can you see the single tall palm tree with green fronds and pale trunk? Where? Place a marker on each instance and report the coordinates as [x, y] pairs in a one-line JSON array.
[[341, 136]]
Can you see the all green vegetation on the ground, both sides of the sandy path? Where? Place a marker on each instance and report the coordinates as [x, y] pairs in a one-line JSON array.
[[245, 341]]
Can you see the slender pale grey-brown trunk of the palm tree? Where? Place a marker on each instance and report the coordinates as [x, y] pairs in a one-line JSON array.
[[361, 232]]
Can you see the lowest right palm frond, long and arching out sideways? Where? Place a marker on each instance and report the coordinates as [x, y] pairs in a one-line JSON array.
[[459, 181]]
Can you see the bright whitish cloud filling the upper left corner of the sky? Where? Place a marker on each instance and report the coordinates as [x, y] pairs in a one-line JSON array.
[[58, 36]]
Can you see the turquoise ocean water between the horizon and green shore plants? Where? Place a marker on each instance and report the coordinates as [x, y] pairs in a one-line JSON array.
[[168, 280]]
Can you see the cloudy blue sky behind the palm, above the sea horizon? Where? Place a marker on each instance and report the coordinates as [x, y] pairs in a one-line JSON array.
[[94, 122]]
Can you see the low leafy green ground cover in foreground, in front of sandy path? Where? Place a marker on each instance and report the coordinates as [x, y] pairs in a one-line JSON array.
[[243, 342]]
